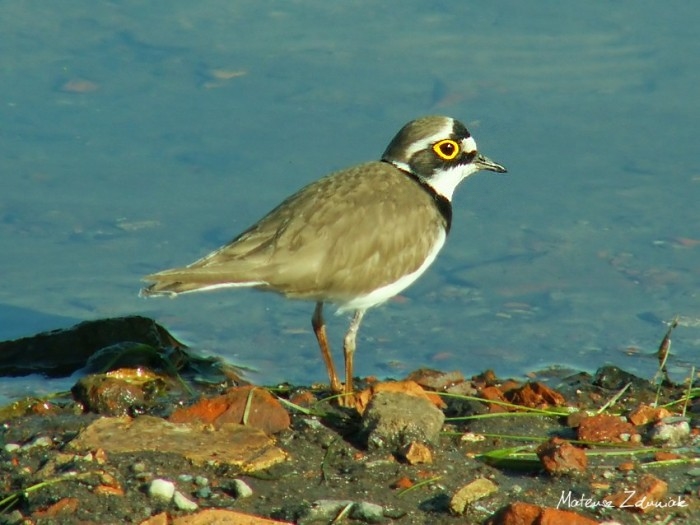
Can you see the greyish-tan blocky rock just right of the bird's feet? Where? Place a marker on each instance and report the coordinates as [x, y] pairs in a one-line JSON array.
[[394, 420]]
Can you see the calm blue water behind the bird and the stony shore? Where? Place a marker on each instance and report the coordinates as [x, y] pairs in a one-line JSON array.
[[138, 136]]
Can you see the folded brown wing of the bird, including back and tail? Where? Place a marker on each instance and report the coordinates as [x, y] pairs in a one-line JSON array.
[[341, 236]]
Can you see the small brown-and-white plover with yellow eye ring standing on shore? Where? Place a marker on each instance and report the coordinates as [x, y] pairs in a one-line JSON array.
[[354, 238]]
